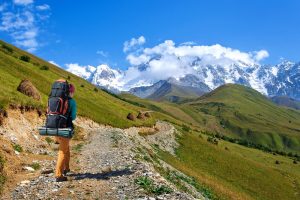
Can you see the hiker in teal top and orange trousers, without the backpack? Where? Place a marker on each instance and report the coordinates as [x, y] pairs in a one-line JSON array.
[[62, 166]]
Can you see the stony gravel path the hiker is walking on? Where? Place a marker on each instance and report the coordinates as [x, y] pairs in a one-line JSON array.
[[108, 166]]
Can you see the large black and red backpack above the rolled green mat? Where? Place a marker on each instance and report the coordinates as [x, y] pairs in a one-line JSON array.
[[58, 104]]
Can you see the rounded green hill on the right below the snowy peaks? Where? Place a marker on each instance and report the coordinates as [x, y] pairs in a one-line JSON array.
[[245, 113]]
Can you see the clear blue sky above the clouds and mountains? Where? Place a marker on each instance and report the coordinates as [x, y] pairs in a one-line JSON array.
[[93, 32]]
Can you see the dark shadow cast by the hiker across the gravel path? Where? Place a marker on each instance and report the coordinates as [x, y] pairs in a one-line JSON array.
[[101, 176]]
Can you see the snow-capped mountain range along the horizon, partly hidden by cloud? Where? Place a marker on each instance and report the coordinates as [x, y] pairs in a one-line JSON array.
[[278, 80]]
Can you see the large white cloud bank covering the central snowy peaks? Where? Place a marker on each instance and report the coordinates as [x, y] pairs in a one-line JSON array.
[[170, 60]]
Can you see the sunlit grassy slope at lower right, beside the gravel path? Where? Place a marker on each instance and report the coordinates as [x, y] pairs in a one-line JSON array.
[[236, 172]]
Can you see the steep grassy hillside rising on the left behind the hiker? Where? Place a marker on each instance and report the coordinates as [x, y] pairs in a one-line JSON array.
[[92, 102]]
